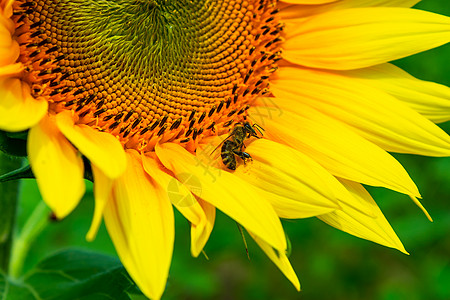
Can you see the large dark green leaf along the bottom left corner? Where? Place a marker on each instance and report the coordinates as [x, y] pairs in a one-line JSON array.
[[72, 274]]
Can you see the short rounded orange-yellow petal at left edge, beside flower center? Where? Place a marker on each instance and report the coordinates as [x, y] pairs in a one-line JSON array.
[[18, 109]]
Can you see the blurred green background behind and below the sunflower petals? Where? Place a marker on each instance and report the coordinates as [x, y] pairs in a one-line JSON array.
[[330, 264]]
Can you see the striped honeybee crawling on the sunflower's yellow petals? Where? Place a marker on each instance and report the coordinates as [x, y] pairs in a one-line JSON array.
[[234, 144]]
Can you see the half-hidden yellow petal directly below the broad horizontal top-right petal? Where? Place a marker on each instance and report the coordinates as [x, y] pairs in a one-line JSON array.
[[430, 99]]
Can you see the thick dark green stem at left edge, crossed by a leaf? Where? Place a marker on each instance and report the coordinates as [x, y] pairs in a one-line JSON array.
[[9, 194]]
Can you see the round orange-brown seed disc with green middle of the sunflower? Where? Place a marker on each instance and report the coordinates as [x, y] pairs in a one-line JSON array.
[[149, 70]]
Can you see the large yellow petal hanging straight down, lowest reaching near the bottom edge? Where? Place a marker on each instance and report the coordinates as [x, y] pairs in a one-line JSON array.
[[140, 222]]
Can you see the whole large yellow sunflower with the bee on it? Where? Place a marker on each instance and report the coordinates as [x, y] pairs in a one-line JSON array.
[[262, 109]]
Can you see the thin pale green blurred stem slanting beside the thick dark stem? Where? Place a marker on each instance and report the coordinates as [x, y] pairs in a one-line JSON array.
[[35, 224]]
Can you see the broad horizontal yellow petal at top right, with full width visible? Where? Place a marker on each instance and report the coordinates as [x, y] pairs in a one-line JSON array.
[[362, 37]]
